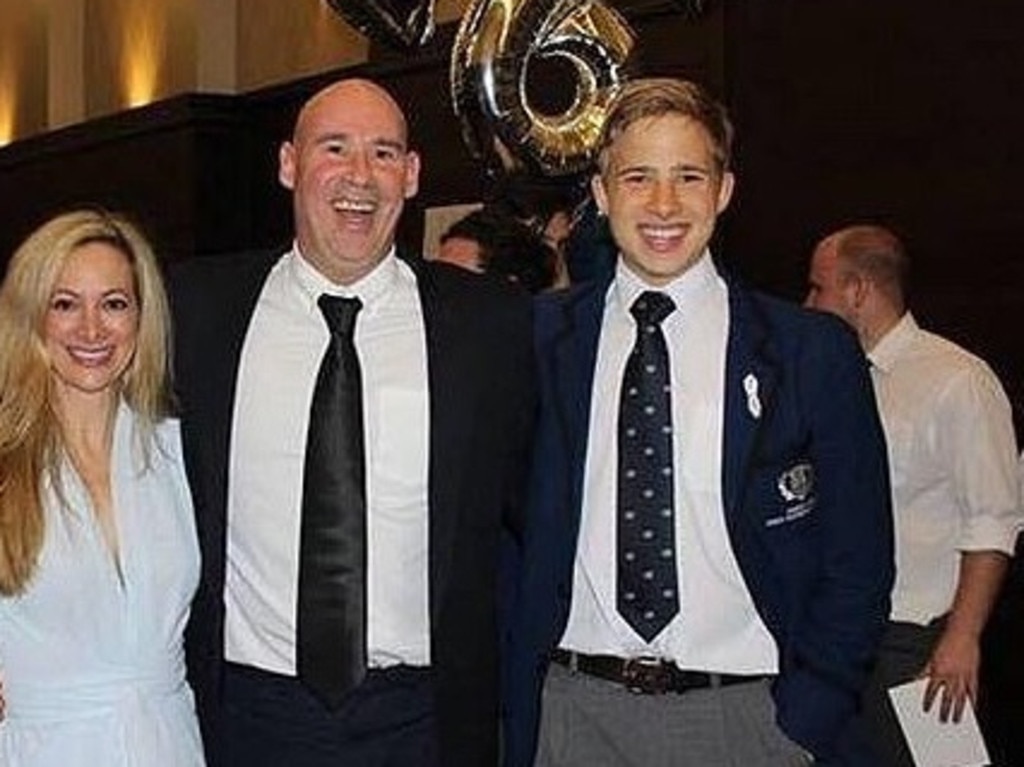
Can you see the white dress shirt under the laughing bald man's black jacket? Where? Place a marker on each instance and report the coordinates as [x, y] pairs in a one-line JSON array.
[[283, 350]]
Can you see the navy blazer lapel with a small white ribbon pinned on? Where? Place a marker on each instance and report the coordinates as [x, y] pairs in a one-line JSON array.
[[751, 381]]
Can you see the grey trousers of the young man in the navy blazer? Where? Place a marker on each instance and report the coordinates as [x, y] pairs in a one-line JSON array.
[[589, 722]]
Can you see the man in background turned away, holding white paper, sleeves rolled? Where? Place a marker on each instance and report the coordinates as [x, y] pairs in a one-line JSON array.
[[953, 456]]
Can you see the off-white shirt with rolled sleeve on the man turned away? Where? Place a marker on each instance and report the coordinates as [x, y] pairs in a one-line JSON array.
[[953, 458]]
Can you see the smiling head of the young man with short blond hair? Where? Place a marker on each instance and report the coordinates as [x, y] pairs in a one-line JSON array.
[[664, 176]]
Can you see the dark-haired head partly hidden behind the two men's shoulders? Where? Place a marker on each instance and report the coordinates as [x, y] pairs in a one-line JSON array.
[[490, 241]]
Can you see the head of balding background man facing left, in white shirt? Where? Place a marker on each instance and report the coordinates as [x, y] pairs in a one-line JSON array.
[[860, 274]]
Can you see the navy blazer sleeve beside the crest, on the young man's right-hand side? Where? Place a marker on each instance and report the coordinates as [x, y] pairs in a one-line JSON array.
[[833, 635]]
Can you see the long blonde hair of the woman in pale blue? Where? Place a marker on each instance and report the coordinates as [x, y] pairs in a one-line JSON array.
[[30, 435]]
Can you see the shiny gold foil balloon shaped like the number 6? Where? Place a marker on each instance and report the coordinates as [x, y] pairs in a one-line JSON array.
[[495, 46]]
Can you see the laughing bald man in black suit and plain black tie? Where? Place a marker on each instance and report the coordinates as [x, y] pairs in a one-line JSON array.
[[420, 686]]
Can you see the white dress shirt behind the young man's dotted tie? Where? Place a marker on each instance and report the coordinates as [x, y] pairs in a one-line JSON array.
[[717, 628]]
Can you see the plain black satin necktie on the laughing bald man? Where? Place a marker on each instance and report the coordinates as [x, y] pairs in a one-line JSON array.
[[331, 655]]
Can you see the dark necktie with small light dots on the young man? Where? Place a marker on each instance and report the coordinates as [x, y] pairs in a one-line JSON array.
[[648, 588]]
